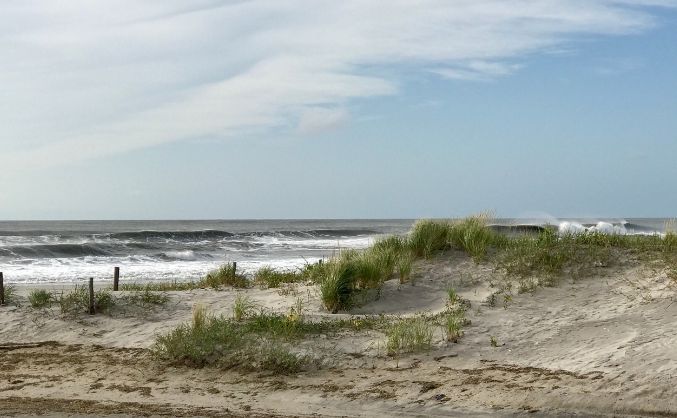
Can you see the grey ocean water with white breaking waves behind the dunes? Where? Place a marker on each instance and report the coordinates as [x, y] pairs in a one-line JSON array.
[[72, 251]]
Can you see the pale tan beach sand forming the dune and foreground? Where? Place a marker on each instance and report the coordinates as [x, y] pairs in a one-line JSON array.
[[598, 346]]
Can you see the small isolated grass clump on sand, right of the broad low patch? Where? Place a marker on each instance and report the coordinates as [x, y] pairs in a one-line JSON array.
[[409, 335]]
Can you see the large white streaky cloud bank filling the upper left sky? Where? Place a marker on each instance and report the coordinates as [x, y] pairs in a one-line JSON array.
[[84, 79]]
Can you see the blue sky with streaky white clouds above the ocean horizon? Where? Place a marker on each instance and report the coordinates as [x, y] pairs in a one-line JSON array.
[[243, 109]]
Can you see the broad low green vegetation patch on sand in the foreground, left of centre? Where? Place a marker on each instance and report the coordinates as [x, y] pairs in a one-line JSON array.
[[256, 341]]
